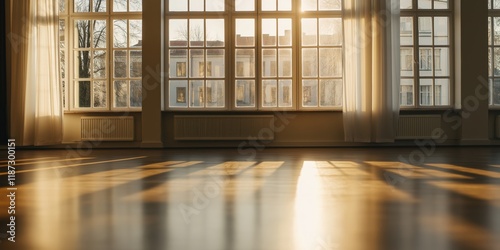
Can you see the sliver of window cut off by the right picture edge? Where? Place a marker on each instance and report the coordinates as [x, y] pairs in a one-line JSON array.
[[494, 52]]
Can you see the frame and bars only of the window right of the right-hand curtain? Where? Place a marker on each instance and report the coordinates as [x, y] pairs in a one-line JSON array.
[[415, 13]]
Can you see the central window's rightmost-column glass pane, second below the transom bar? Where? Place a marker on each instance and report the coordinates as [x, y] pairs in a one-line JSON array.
[[330, 62]]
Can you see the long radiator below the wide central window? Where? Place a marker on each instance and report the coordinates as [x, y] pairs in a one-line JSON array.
[[223, 127]]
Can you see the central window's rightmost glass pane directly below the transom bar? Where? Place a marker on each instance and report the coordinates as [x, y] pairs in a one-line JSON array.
[[330, 31]]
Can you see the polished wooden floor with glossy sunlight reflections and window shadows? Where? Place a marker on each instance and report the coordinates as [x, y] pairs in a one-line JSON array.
[[290, 199]]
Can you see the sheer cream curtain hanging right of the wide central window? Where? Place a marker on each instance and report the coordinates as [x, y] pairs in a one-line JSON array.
[[371, 91]]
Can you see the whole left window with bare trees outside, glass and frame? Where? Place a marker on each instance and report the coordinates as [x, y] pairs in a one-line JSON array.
[[101, 56]]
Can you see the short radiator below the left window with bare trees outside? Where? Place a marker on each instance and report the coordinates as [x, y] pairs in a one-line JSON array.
[[101, 128]]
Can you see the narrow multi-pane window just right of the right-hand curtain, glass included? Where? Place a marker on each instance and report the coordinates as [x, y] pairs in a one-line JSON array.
[[426, 37]]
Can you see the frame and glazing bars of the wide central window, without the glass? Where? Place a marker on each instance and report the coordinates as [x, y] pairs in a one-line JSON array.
[[230, 15]]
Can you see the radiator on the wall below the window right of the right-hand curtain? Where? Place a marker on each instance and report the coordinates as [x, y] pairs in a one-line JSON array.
[[417, 126]]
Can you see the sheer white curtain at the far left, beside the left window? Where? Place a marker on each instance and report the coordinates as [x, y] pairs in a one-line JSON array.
[[36, 101]]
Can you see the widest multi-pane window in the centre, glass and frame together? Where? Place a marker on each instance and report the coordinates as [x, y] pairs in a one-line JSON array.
[[254, 54]]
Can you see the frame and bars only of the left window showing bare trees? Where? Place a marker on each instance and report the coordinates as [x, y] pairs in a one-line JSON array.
[[70, 16]]
